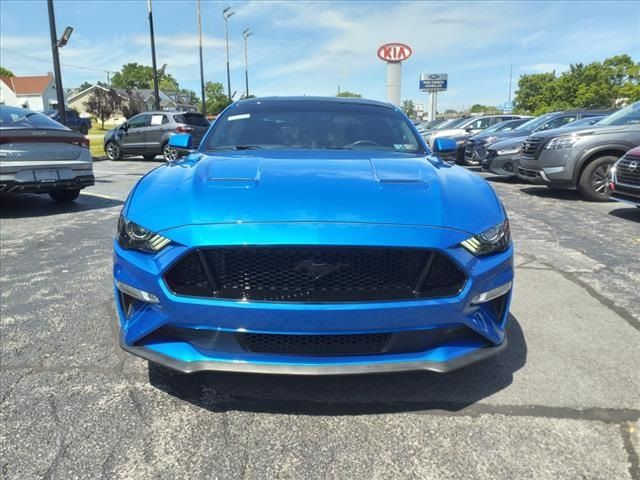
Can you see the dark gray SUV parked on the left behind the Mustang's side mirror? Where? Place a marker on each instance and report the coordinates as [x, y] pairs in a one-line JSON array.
[[148, 134]]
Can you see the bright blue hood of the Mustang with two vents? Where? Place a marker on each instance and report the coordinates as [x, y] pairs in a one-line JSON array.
[[313, 186]]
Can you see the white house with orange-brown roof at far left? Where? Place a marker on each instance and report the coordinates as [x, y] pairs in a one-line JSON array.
[[35, 93]]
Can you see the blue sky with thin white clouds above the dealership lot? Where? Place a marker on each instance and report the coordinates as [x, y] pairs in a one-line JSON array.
[[314, 48]]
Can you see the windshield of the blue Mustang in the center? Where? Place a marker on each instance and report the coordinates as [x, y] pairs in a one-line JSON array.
[[309, 124]]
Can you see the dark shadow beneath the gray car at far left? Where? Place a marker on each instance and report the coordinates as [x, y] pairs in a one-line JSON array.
[[28, 205]]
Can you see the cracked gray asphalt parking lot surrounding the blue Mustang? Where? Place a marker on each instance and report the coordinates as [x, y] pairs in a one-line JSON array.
[[563, 401]]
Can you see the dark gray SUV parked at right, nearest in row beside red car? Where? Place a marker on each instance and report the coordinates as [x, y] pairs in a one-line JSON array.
[[581, 157]]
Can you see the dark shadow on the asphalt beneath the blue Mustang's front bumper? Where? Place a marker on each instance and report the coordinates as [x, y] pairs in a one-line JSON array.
[[348, 395]]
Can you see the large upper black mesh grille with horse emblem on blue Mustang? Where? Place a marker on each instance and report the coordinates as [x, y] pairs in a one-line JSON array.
[[315, 274]]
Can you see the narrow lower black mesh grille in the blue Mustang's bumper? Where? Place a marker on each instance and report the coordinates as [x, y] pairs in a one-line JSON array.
[[354, 344]]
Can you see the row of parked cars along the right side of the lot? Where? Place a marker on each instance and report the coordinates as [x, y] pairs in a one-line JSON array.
[[563, 150]]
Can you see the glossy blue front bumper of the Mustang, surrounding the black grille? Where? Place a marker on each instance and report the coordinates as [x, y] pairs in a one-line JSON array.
[[139, 327]]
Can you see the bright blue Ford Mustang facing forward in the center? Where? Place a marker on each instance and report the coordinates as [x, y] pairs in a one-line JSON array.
[[312, 236]]
